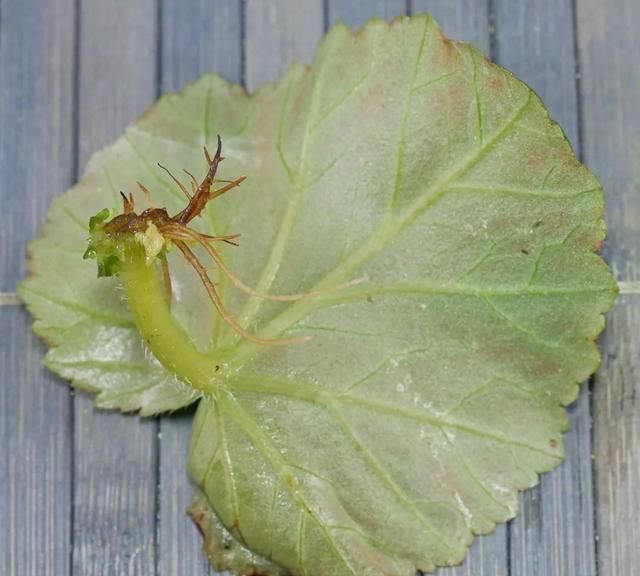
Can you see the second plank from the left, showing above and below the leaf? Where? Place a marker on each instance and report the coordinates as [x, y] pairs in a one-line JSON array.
[[115, 456]]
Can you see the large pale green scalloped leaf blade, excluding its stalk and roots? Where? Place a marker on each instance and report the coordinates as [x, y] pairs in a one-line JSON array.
[[433, 390]]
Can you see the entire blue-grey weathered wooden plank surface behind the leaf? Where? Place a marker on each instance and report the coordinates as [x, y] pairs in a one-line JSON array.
[[87, 493]]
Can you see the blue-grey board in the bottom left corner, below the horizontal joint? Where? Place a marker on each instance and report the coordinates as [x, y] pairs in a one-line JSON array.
[[35, 461]]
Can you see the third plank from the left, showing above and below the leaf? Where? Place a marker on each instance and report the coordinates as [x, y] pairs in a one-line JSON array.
[[195, 39]]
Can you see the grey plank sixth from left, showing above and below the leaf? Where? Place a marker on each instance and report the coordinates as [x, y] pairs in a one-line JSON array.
[[468, 21]]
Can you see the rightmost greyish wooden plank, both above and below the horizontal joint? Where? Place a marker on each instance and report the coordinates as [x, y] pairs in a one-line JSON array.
[[610, 88]]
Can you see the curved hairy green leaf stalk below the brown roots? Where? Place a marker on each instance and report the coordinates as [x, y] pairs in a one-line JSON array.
[[167, 340]]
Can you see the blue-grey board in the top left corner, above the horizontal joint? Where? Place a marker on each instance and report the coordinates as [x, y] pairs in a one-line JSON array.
[[36, 107]]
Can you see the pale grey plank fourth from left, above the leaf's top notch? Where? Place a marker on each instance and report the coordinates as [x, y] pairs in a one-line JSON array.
[[277, 34]]
